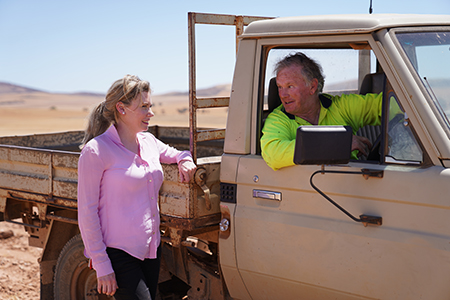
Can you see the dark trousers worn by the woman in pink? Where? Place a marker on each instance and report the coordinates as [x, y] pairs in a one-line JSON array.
[[136, 279]]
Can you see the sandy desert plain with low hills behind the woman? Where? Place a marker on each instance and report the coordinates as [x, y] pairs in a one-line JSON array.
[[31, 111]]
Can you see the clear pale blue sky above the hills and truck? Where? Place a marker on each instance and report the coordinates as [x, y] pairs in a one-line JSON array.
[[85, 45]]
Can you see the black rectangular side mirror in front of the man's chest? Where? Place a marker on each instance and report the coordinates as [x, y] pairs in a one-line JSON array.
[[323, 145]]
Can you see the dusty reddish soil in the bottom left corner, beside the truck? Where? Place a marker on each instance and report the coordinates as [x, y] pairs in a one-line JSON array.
[[19, 267]]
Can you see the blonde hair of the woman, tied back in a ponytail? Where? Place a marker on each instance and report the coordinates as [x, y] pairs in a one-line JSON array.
[[123, 90]]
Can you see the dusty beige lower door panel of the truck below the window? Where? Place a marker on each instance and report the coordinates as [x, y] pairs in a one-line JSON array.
[[291, 242]]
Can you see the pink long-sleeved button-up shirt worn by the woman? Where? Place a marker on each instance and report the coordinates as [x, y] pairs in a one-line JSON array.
[[118, 196]]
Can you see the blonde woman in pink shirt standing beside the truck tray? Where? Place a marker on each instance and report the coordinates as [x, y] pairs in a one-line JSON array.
[[119, 177]]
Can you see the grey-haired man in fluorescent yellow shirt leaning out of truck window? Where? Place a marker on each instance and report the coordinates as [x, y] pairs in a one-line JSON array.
[[300, 83]]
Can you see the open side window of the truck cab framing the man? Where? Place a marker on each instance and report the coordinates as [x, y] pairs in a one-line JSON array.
[[349, 69]]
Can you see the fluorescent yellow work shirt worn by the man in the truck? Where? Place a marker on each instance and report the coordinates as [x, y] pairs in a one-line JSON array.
[[280, 128]]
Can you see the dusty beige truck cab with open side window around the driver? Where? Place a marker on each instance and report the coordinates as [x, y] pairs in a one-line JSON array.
[[283, 240]]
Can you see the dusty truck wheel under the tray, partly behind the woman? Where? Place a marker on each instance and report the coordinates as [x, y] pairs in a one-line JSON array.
[[73, 278]]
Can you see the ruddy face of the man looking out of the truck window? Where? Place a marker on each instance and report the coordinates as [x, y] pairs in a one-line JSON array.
[[296, 94]]
